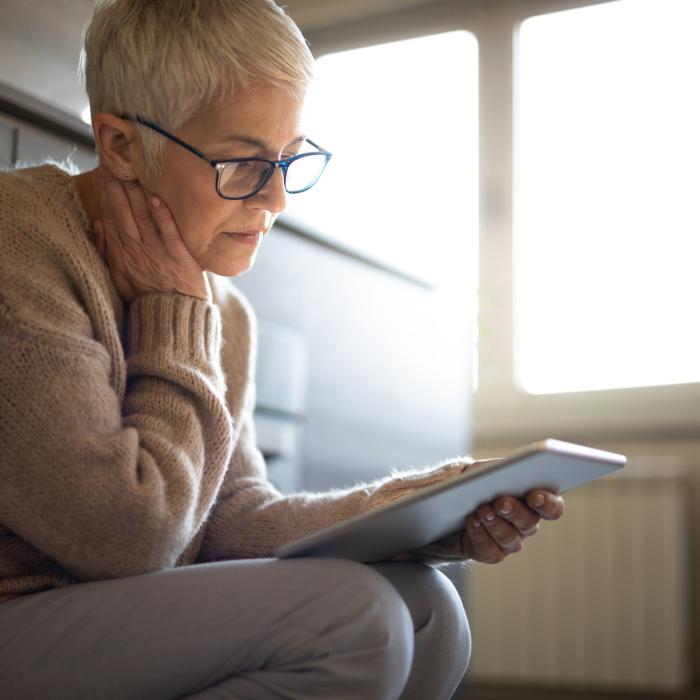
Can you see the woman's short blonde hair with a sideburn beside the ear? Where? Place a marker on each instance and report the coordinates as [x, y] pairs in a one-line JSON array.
[[169, 60]]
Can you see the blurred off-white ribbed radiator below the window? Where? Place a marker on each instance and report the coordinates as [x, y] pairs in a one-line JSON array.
[[599, 599]]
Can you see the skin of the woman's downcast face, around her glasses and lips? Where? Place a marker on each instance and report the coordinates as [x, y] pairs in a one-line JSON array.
[[266, 115]]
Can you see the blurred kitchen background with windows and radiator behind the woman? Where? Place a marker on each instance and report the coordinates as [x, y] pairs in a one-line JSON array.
[[504, 248]]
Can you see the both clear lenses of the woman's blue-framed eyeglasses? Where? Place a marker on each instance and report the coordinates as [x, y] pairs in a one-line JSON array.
[[241, 179]]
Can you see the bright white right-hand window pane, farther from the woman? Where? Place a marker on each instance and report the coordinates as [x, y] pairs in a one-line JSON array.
[[607, 240]]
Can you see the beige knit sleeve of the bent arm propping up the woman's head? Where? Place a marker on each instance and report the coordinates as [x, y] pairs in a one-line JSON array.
[[111, 487]]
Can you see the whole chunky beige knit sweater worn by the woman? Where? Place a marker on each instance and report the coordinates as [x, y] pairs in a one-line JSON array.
[[127, 443]]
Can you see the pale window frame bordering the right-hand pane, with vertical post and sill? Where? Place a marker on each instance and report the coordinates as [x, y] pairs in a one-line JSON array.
[[503, 411]]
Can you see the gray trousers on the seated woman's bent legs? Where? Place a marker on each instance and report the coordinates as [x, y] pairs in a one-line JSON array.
[[252, 629]]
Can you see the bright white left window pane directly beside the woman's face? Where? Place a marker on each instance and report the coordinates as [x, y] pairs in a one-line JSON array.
[[401, 121]]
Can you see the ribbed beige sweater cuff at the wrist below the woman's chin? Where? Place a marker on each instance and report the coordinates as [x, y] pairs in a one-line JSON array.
[[173, 325]]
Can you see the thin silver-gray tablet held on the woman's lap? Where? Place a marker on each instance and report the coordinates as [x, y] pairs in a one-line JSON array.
[[440, 509]]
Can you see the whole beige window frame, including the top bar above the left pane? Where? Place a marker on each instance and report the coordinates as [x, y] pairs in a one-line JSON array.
[[502, 411]]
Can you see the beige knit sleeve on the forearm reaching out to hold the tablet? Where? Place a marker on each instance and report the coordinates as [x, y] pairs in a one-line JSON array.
[[252, 518]]
